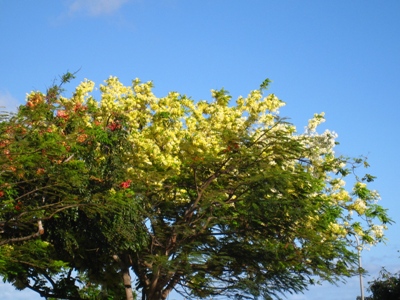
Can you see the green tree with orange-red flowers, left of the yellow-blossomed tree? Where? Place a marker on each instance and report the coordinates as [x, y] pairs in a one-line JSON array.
[[51, 175]]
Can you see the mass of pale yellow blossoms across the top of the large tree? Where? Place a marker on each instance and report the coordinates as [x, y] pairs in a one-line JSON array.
[[174, 133]]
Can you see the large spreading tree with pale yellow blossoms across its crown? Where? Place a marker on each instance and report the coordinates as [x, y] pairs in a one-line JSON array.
[[207, 198]]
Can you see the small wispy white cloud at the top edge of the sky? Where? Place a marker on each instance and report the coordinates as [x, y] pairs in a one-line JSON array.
[[96, 7]]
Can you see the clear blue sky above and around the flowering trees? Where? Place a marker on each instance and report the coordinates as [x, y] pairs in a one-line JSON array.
[[340, 57]]
